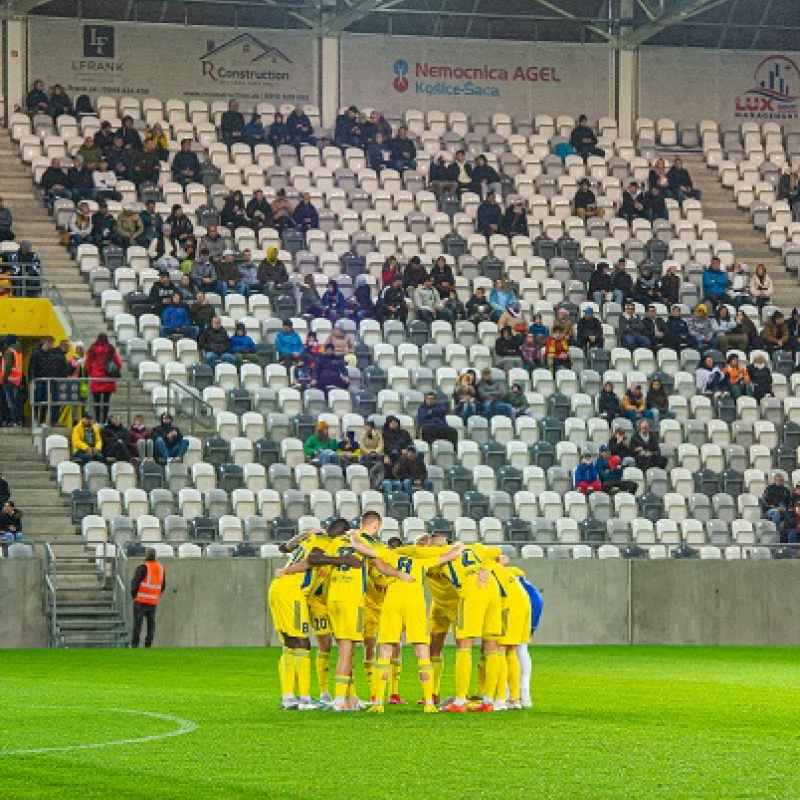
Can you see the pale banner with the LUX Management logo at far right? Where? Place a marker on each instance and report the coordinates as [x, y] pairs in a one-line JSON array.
[[690, 84]]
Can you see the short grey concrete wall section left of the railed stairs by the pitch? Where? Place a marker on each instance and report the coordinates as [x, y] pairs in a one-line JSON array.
[[21, 603]]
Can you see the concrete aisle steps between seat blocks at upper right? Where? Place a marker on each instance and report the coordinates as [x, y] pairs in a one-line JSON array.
[[736, 226]]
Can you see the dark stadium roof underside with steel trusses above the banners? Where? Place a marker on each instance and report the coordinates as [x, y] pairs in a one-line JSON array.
[[727, 24]]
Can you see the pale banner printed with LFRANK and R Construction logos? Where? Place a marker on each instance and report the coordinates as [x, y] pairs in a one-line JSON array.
[[191, 63]]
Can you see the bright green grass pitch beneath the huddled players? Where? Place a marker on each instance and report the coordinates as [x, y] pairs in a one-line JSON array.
[[626, 722]]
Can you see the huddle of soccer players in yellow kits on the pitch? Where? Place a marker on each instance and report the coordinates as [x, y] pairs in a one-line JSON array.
[[346, 585]]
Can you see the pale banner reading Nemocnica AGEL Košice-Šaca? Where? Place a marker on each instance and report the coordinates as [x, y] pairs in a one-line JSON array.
[[394, 73]]
